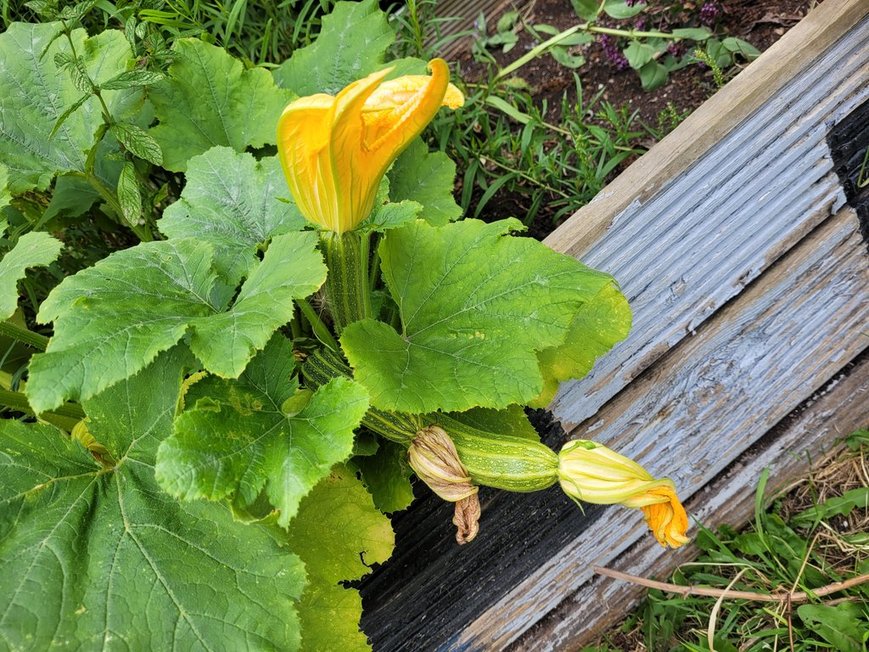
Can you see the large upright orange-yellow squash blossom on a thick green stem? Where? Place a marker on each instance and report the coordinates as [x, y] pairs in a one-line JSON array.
[[335, 150]]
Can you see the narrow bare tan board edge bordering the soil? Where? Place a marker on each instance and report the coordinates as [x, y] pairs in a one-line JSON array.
[[713, 120]]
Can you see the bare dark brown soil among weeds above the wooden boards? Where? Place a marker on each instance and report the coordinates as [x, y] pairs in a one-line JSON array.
[[760, 22]]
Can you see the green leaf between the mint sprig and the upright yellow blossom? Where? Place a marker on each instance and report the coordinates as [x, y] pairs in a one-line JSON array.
[[210, 99]]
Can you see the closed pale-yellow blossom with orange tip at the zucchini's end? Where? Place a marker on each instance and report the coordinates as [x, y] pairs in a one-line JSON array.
[[593, 473]]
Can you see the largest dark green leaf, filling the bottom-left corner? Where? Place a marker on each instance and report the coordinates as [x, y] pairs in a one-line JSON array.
[[93, 557]]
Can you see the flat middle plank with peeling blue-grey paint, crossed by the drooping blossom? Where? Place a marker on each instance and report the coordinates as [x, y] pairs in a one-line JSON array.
[[709, 400]]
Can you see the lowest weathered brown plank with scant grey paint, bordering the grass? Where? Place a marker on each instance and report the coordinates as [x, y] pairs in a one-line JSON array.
[[838, 410]]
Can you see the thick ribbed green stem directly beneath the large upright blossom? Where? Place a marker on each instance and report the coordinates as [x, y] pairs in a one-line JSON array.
[[347, 286]]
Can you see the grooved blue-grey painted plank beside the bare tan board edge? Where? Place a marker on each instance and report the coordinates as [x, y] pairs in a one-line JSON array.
[[690, 248]]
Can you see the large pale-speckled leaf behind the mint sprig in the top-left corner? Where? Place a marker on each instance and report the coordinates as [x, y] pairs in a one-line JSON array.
[[36, 94]]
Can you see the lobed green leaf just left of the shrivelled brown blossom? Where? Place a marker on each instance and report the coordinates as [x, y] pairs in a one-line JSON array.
[[237, 441]]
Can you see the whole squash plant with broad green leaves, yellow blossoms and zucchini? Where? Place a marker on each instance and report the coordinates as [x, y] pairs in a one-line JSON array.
[[226, 411]]
